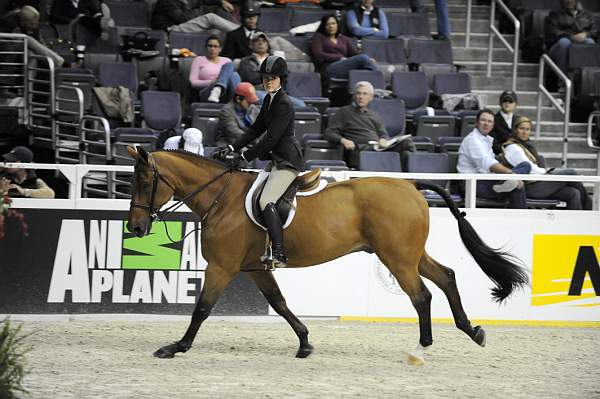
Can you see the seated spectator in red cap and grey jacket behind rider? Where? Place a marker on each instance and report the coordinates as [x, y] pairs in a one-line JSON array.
[[237, 115]]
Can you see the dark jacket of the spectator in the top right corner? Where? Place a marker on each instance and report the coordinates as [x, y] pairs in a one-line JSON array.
[[562, 23]]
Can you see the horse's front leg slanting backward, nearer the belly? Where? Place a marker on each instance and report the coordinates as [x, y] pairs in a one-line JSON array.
[[268, 286]]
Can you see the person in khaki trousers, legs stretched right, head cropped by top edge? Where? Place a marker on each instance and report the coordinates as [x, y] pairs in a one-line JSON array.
[[187, 16]]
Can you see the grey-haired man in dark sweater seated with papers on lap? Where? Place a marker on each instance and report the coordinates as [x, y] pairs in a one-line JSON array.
[[358, 128]]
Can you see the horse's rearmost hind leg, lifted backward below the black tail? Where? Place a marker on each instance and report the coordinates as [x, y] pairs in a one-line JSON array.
[[443, 277]]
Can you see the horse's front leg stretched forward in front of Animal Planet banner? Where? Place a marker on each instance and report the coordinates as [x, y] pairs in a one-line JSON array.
[[216, 280]]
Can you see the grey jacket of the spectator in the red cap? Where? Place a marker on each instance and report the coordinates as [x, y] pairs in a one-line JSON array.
[[234, 122]]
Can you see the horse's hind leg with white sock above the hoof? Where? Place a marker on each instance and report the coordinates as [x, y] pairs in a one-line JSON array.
[[410, 281]]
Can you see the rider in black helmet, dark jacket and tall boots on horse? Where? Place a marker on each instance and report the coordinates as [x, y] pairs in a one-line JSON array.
[[279, 144]]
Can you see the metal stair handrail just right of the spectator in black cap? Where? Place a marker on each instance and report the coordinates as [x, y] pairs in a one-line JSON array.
[[565, 110]]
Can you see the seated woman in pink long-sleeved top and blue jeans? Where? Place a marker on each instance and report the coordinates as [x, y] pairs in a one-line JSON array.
[[212, 75]]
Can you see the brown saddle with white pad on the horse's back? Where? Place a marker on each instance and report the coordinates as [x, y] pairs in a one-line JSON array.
[[303, 185]]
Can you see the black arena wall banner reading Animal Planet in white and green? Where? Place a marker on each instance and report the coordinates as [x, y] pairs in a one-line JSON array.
[[87, 262]]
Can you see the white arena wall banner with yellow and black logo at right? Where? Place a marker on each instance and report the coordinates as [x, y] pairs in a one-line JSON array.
[[560, 250]]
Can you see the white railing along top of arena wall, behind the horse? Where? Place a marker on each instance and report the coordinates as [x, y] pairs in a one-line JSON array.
[[76, 174]]
